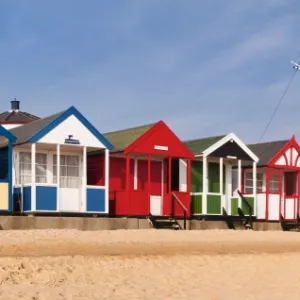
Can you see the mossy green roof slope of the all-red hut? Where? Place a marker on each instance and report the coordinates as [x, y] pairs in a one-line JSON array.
[[123, 138]]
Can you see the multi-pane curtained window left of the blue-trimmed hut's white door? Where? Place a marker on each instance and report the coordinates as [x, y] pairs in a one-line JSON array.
[[25, 168]]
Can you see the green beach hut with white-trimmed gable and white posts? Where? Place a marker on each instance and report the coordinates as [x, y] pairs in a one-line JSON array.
[[214, 180]]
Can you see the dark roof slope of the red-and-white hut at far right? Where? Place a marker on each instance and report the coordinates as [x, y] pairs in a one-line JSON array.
[[266, 151]]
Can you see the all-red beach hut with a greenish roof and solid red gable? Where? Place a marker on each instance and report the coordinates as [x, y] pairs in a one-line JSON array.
[[149, 172]]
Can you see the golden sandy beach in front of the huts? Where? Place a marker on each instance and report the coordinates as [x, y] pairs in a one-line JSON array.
[[149, 264]]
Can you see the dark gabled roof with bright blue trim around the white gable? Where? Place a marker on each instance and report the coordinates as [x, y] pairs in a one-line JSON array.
[[34, 131]]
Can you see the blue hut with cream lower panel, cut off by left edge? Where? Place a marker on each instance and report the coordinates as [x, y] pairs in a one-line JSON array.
[[6, 141]]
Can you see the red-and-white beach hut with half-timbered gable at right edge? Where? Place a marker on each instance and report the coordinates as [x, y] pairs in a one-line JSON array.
[[277, 183]]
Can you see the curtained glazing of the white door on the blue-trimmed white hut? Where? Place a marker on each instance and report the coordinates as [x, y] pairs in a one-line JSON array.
[[69, 171]]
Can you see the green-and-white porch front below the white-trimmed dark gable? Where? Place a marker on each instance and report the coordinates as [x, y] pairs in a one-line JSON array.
[[220, 189]]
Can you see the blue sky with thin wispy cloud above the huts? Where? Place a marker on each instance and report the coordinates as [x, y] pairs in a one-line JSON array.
[[204, 67]]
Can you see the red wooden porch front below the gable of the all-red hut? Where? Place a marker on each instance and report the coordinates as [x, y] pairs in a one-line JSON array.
[[155, 185]]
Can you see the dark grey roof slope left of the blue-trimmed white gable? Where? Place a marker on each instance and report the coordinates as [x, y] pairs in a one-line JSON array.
[[25, 132]]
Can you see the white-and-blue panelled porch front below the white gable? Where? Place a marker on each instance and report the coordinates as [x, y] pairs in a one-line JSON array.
[[52, 178]]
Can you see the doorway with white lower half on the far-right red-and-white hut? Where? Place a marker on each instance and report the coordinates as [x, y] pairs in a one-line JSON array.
[[290, 196]]
